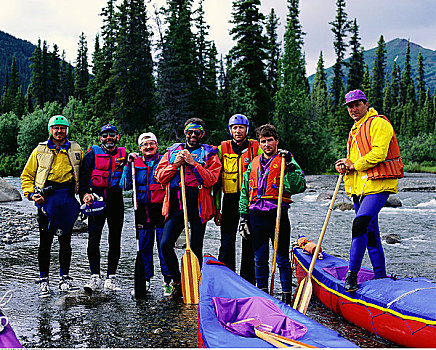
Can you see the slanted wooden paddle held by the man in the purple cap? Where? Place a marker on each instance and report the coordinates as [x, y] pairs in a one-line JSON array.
[[304, 291]]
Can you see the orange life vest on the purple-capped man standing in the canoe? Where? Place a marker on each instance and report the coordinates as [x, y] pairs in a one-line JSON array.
[[392, 166]]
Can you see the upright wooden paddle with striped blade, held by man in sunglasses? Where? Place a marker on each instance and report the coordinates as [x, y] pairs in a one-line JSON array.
[[190, 268]]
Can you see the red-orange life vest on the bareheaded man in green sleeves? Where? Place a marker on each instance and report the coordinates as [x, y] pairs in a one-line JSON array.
[[273, 183]]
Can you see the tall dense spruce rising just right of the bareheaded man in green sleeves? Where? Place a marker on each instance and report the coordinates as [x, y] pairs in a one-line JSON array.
[[297, 125]]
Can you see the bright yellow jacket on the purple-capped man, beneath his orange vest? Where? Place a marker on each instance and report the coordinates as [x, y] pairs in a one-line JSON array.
[[357, 182]]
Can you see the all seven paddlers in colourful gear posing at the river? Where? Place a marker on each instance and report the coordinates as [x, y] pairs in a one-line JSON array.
[[246, 171]]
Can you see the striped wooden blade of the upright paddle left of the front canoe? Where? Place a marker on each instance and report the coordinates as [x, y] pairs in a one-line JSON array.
[[191, 274]]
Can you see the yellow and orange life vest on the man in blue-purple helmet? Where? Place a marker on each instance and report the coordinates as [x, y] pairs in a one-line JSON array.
[[235, 165]]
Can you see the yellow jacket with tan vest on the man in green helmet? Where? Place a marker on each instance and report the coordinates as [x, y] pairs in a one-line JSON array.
[[48, 164]]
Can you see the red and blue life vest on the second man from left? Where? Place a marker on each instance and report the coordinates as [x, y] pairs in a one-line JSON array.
[[107, 169]]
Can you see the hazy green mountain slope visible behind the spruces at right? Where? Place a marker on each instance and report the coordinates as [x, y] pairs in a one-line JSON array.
[[397, 48]]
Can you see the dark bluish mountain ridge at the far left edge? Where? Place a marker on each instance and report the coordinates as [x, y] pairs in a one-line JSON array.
[[22, 49]]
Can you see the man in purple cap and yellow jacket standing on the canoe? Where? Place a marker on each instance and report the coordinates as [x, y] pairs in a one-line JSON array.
[[372, 169]]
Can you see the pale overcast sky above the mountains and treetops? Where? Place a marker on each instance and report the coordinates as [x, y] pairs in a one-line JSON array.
[[62, 21]]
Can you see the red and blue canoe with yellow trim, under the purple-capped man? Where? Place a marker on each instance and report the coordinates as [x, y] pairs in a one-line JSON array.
[[400, 310]]
